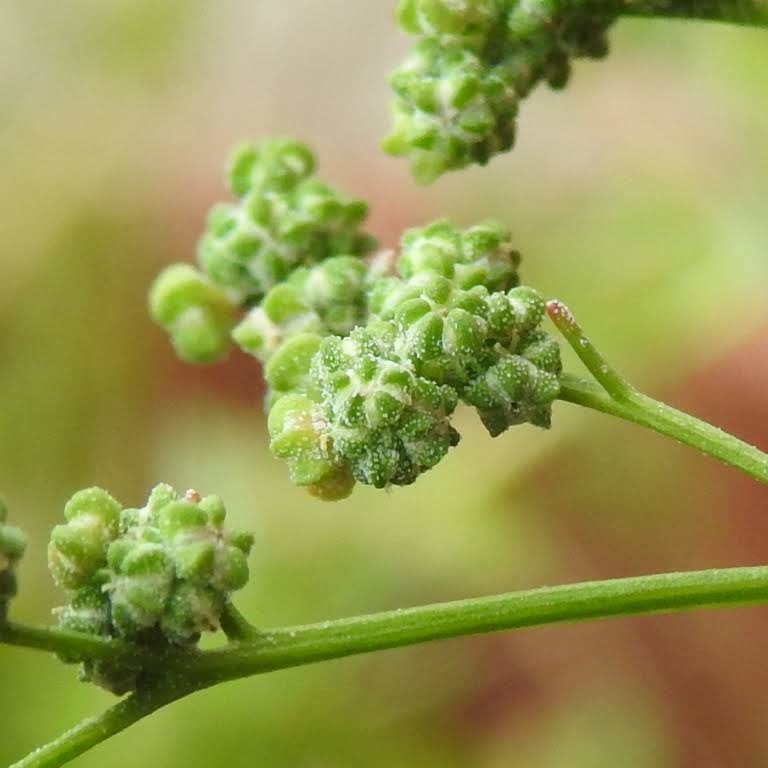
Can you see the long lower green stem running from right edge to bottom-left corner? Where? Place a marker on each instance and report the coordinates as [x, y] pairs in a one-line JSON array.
[[277, 649]]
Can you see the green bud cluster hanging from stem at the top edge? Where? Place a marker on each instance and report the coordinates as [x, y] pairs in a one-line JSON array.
[[457, 93]]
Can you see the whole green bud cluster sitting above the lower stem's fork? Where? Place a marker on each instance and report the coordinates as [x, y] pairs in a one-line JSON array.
[[159, 575]]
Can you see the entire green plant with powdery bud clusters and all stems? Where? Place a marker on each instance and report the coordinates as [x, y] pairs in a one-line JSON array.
[[366, 356]]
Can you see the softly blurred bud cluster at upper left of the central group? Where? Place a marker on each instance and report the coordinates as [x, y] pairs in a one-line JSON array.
[[285, 225]]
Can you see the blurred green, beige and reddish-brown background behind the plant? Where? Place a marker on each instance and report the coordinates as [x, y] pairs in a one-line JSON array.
[[639, 195]]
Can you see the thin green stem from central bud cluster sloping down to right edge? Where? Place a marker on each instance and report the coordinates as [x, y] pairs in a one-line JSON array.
[[668, 421]]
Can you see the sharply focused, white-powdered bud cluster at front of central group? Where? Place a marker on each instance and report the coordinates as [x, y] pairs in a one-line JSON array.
[[453, 326]]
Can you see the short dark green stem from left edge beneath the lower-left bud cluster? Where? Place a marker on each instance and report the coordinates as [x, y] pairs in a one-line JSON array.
[[75, 645]]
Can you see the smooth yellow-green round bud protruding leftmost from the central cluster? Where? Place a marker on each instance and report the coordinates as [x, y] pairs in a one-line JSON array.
[[196, 313]]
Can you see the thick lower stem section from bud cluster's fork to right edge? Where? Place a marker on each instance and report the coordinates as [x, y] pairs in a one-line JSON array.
[[296, 646]]
